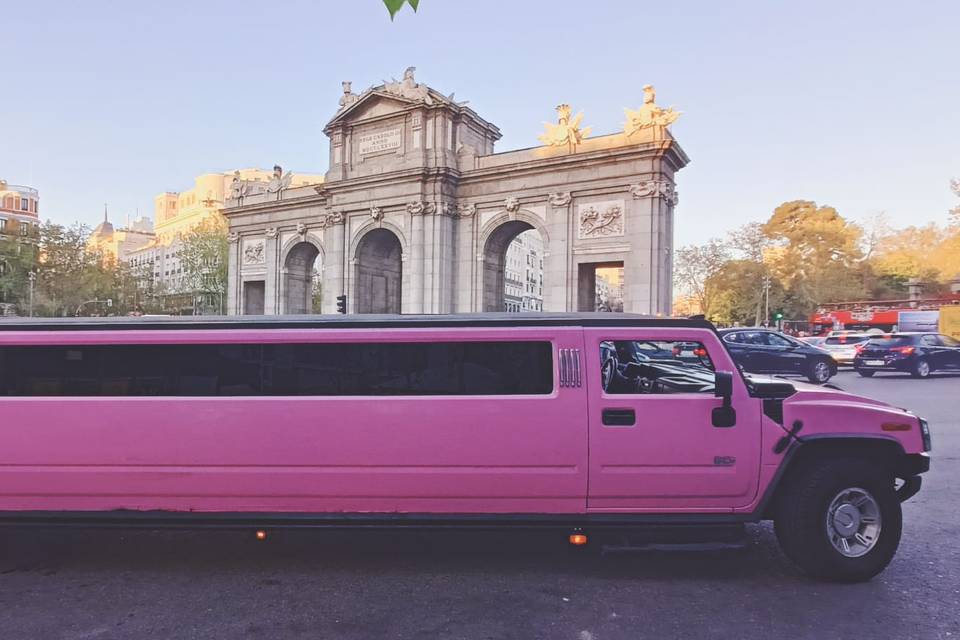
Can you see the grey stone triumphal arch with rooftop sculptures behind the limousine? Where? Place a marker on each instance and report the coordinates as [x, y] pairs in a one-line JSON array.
[[418, 214]]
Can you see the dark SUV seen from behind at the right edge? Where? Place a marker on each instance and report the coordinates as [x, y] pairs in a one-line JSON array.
[[915, 353]]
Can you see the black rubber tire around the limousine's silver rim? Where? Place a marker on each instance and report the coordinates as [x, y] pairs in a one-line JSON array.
[[801, 517]]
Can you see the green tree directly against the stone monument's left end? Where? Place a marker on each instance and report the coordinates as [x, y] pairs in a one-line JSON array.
[[203, 253]]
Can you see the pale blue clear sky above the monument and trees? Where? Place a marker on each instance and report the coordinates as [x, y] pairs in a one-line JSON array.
[[850, 104]]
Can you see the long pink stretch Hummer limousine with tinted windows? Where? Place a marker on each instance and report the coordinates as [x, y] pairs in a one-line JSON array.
[[571, 422]]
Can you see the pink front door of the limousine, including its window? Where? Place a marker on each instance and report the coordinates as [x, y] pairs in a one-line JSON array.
[[653, 445]]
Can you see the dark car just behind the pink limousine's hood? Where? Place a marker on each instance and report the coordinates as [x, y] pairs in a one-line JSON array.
[[769, 351]]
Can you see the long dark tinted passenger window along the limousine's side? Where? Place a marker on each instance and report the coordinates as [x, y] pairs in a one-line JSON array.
[[462, 368]]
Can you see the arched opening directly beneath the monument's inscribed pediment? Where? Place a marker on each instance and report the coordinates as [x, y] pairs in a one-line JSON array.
[[379, 272]]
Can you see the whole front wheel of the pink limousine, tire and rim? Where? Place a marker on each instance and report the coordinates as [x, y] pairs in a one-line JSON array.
[[839, 519]]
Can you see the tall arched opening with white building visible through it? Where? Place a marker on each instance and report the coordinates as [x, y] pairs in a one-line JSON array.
[[513, 268]]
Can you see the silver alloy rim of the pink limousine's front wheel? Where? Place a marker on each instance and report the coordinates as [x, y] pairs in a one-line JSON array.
[[853, 522]]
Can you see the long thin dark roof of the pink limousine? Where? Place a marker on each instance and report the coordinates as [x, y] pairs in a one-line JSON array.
[[350, 321]]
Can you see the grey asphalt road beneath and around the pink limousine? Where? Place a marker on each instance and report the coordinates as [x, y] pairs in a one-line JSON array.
[[175, 584]]
